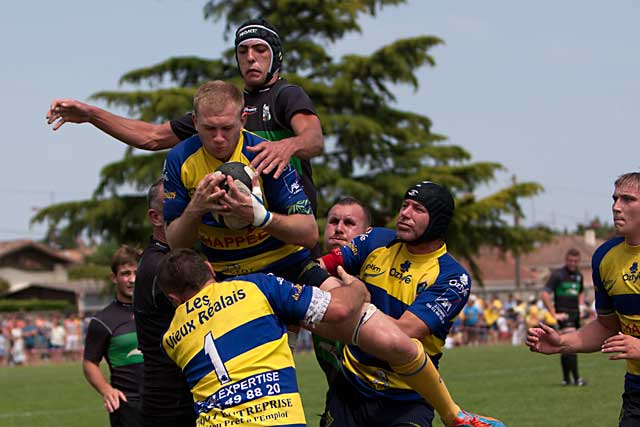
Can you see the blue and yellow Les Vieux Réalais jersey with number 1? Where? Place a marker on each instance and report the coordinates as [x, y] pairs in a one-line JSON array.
[[230, 340]]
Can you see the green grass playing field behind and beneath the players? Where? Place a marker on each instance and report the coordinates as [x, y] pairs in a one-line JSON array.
[[521, 388]]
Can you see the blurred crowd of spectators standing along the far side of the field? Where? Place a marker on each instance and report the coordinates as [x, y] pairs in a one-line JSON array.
[[55, 337]]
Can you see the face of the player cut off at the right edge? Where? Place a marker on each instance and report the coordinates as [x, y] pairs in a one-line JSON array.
[[626, 212]]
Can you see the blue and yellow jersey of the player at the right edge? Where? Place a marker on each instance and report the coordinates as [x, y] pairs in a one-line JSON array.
[[616, 278]]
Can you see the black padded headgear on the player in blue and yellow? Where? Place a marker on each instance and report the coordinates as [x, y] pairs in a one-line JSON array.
[[439, 202]]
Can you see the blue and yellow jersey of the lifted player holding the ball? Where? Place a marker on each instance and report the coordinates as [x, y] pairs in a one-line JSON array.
[[234, 252]]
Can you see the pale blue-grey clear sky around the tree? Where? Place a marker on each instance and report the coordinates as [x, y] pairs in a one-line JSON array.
[[551, 90]]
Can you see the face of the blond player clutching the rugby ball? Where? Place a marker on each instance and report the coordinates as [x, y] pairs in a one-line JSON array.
[[219, 131]]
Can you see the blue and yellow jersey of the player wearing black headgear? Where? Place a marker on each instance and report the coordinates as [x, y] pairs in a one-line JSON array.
[[434, 287]]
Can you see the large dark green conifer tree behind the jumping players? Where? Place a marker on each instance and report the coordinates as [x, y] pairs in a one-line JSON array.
[[374, 151]]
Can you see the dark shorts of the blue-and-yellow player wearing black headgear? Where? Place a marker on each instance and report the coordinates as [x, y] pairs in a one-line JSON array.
[[347, 407]]
